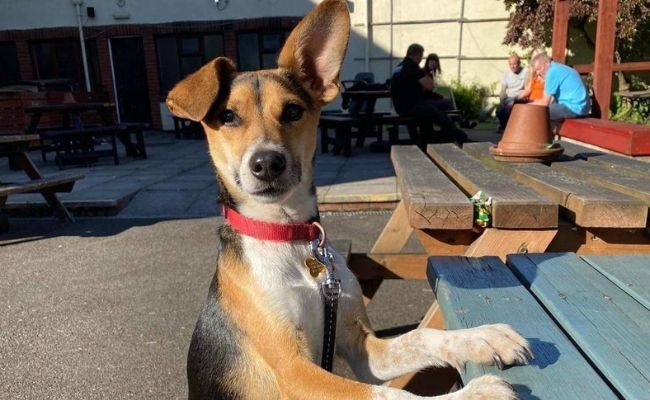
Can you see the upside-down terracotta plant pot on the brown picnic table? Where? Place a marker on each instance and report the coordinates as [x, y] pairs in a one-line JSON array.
[[528, 137]]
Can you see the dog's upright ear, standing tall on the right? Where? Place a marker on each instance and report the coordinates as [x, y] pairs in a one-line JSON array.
[[316, 47]]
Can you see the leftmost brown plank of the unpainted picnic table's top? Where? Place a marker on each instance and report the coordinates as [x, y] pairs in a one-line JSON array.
[[432, 201]]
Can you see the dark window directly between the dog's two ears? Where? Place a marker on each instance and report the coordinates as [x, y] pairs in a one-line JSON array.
[[258, 50]]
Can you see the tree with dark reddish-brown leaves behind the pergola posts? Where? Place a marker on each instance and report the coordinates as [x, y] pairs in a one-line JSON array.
[[531, 22]]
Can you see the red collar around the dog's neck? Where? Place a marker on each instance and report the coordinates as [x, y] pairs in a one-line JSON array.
[[269, 230]]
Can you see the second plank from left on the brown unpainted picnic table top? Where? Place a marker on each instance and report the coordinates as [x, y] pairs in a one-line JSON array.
[[513, 205]]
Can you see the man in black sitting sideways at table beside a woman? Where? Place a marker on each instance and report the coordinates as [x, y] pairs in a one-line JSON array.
[[410, 91]]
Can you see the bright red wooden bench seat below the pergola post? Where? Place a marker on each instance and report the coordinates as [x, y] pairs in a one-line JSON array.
[[630, 139]]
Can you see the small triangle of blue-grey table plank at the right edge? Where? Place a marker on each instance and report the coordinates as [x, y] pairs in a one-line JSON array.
[[631, 273]]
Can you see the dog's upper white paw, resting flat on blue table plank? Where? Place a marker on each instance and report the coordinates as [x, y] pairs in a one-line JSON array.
[[498, 345]]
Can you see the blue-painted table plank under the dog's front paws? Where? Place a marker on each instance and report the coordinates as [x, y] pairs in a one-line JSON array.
[[473, 292]]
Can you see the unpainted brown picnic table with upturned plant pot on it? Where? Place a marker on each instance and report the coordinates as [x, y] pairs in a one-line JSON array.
[[587, 202]]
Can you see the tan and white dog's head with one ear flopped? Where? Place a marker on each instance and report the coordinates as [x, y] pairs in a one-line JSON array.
[[261, 126]]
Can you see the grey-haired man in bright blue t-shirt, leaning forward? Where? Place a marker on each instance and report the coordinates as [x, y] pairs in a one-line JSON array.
[[563, 85]]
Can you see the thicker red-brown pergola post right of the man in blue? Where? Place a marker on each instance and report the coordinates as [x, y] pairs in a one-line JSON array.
[[604, 56]]
